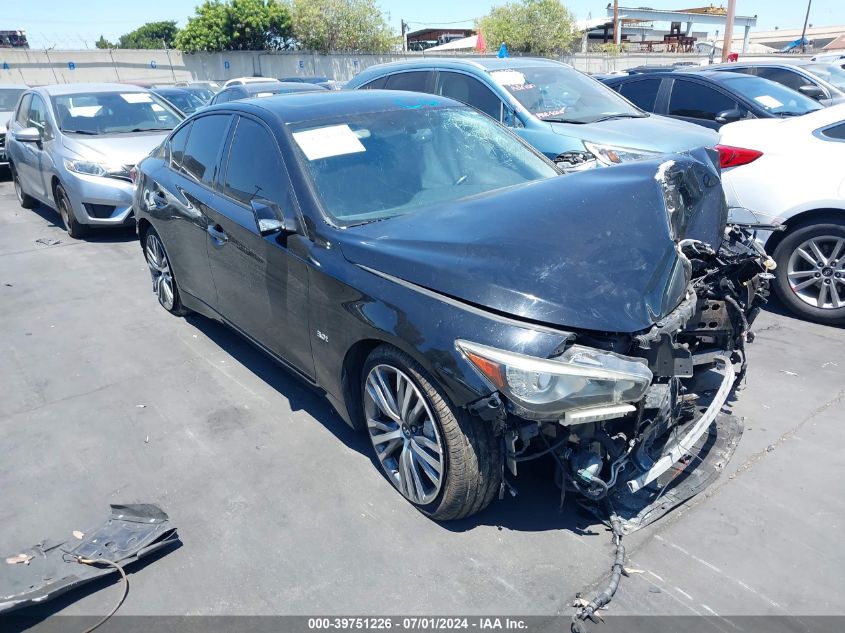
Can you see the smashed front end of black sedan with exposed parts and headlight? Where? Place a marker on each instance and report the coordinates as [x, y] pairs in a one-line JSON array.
[[640, 419]]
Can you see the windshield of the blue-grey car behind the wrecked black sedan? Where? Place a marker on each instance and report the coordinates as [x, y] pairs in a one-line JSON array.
[[558, 93]]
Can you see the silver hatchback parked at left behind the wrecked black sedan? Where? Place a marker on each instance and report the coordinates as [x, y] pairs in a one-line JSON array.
[[73, 147]]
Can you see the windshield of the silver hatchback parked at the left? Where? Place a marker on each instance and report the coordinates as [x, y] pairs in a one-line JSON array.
[[114, 113]]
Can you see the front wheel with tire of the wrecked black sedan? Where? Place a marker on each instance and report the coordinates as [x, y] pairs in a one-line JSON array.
[[447, 463]]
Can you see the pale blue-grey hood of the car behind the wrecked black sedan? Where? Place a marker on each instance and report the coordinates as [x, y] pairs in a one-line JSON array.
[[655, 133]]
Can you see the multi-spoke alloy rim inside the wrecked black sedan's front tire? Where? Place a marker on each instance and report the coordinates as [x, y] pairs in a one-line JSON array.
[[404, 434]]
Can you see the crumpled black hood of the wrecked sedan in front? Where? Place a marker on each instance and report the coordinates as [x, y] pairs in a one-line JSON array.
[[593, 251]]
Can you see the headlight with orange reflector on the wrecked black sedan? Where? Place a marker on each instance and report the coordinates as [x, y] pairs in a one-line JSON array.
[[546, 388]]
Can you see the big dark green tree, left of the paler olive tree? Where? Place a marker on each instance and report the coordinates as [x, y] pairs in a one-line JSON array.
[[237, 25]]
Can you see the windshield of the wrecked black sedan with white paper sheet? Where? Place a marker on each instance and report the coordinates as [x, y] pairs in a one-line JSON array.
[[377, 165]]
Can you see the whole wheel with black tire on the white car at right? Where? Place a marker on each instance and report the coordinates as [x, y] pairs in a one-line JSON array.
[[810, 274]]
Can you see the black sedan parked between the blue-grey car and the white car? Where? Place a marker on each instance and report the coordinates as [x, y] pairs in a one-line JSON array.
[[711, 98]]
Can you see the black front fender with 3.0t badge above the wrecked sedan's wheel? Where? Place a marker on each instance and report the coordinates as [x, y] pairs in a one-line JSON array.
[[350, 304]]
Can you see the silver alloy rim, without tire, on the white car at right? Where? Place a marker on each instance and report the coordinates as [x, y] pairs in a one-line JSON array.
[[816, 272]]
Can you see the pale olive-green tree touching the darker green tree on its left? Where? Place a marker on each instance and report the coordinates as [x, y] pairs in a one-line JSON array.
[[341, 25]]
